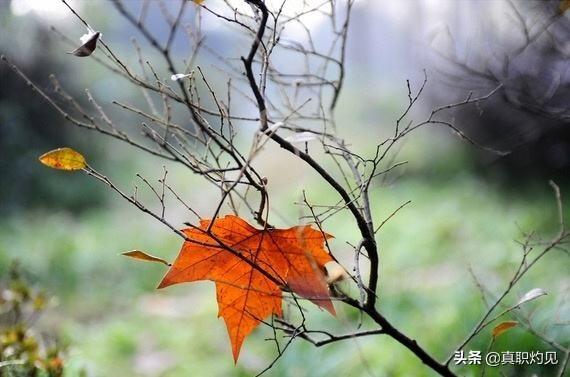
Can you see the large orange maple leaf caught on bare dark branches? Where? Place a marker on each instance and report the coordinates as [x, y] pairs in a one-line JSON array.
[[251, 268]]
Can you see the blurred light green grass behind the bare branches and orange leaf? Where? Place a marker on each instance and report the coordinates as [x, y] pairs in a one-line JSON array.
[[117, 324]]
